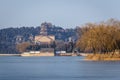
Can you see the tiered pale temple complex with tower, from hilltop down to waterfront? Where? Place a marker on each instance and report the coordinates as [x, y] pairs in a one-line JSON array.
[[44, 43]]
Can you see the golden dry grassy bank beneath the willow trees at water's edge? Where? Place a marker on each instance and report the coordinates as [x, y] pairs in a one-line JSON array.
[[102, 57]]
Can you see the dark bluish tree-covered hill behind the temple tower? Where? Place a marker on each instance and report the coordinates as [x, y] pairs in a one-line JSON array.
[[8, 36]]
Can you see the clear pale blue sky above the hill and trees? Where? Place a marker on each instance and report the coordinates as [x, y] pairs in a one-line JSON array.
[[64, 13]]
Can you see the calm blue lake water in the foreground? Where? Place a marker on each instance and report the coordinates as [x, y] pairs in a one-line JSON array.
[[57, 68]]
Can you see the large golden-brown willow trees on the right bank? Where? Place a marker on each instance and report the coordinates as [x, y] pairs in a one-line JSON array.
[[101, 37]]
